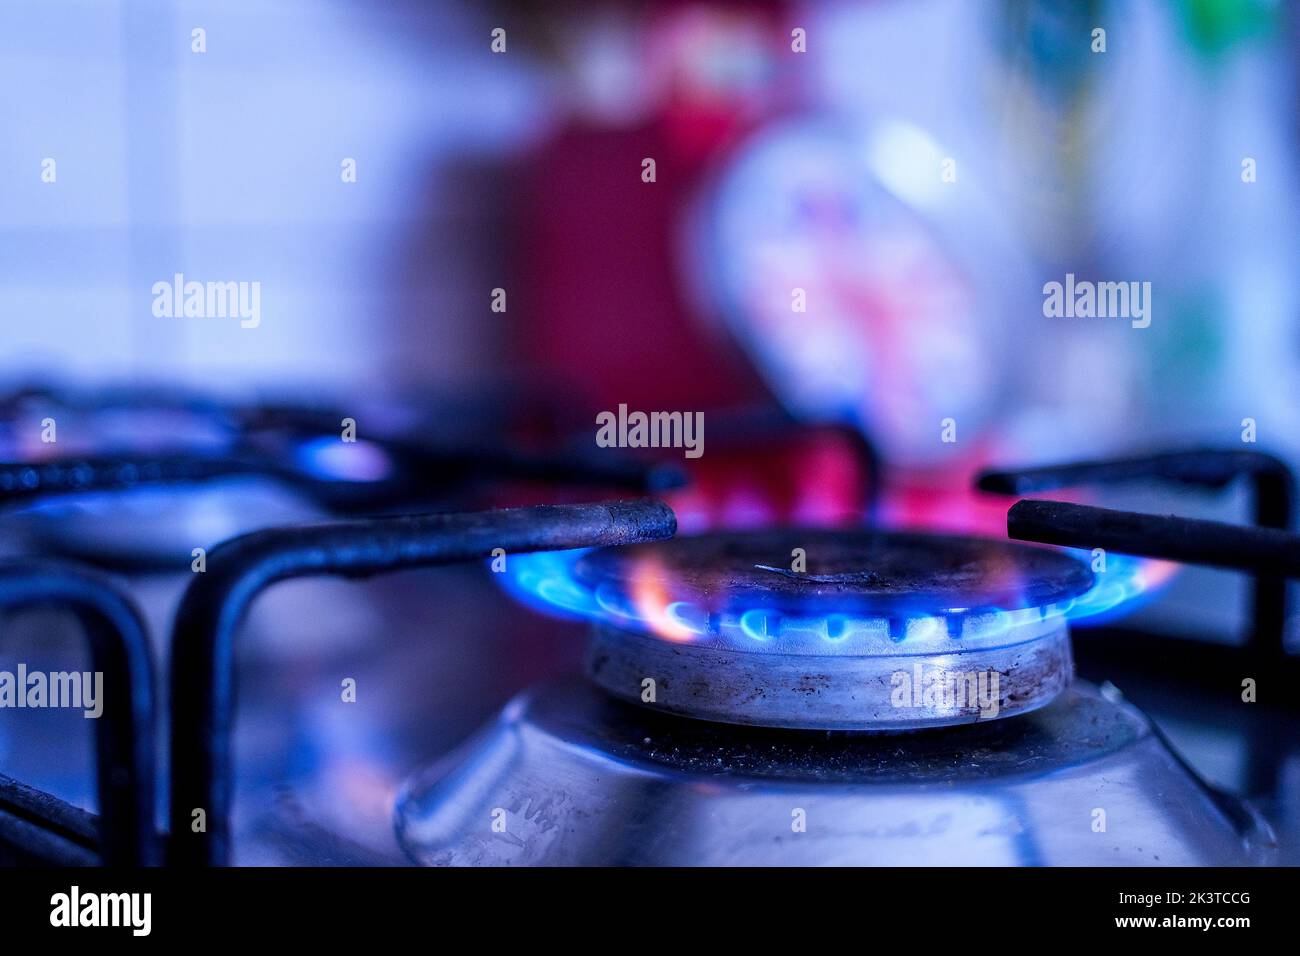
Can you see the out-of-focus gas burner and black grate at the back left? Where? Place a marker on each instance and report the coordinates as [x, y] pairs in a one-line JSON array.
[[142, 477]]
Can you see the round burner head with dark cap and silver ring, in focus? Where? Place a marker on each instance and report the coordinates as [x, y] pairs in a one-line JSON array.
[[833, 630]]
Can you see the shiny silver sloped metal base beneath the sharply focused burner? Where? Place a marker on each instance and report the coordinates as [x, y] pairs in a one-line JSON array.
[[569, 777]]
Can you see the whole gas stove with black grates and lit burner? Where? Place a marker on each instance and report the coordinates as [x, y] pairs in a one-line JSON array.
[[785, 695]]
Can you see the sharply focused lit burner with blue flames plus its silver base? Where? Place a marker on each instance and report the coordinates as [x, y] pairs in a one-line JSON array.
[[811, 638]]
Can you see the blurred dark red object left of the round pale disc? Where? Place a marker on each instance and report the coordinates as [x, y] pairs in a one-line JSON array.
[[600, 293]]
